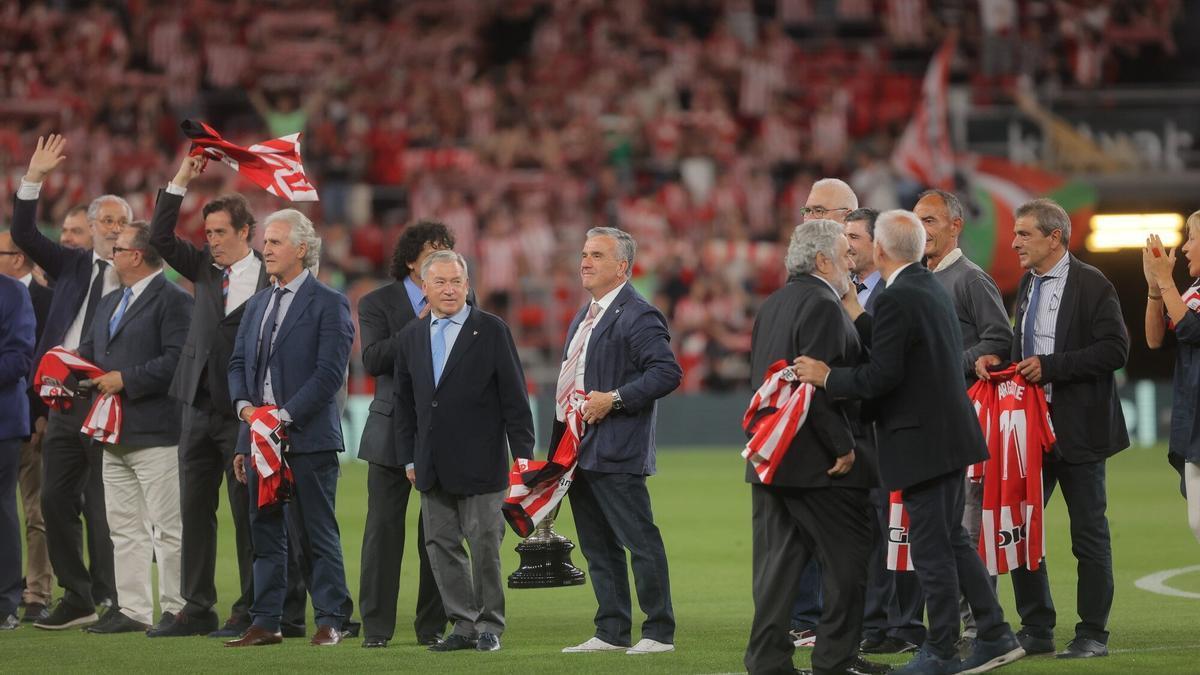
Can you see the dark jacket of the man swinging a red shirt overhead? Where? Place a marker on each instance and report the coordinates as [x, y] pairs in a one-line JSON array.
[[205, 365]]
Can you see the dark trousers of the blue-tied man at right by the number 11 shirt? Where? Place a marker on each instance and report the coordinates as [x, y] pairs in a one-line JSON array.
[[1084, 491]]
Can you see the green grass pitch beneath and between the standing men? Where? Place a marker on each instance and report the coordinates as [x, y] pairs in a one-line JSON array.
[[703, 506]]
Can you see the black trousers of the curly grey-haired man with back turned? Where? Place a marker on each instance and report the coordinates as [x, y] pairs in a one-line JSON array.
[[790, 527]]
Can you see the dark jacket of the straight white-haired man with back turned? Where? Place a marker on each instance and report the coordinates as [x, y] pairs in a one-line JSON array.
[[926, 425]]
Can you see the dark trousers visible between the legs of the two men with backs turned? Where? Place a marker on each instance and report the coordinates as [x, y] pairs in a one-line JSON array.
[[896, 606]]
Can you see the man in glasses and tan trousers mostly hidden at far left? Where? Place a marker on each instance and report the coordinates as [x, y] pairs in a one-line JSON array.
[[39, 575]]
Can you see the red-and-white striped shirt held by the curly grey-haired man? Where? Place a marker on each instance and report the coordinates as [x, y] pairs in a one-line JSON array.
[[777, 413]]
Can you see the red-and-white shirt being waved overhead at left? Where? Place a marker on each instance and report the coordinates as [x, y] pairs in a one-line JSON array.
[[274, 166]]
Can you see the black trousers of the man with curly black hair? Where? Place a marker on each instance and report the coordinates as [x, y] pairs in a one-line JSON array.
[[383, 552]]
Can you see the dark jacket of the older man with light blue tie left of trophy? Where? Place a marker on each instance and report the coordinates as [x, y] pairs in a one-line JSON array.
[[459, 435]]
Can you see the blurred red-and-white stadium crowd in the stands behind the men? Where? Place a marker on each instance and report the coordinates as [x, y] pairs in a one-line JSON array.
[[699, 127]]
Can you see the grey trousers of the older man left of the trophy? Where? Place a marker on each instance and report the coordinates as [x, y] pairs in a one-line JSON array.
[[472, 588]]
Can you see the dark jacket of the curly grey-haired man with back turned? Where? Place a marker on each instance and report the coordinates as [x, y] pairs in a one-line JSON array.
[[806, 318]]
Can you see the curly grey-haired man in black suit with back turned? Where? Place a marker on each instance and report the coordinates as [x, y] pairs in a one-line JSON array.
[[817, 504]]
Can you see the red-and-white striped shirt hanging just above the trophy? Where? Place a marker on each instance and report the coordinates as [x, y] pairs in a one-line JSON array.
[[536, 488]]
